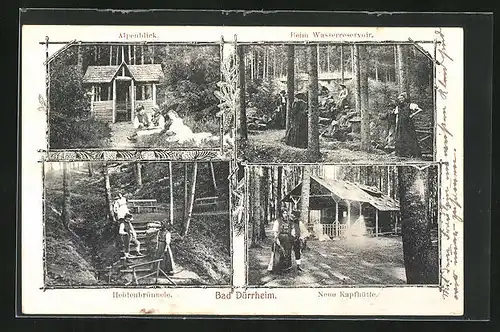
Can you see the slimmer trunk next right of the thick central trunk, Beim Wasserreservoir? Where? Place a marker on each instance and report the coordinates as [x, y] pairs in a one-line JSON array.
[[365, 111]]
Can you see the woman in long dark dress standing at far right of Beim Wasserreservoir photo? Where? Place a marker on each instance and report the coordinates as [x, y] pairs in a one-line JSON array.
[[406, 140]]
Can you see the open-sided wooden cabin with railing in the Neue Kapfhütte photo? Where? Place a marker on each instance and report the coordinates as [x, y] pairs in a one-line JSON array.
[[338, 204]]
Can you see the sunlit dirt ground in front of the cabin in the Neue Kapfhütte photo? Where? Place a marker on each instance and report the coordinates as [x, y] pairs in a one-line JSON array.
[[363, 260]]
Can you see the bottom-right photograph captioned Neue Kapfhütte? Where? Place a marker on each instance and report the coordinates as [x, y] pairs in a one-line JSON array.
[[341, 225]]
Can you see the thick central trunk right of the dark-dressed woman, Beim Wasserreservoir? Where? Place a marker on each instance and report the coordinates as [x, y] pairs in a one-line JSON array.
[[313, 131]]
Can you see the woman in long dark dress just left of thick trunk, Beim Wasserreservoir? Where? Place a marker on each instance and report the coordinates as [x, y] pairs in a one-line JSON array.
[[297, 134]]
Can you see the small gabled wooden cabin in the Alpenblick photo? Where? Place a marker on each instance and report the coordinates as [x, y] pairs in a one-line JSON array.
[[118, 90]]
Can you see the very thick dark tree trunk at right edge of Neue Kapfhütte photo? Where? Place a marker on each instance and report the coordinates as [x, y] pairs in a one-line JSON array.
[[421, 263]]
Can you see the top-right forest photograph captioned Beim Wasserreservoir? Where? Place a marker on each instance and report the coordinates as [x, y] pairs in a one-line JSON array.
[[339, 102]]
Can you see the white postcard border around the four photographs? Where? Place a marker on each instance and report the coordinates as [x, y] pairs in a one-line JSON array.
[[182, 301]]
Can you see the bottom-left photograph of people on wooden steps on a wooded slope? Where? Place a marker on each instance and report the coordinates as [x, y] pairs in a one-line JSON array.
[[136, 224]]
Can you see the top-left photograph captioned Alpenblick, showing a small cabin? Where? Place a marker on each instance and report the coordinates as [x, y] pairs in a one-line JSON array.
[[134, 95]]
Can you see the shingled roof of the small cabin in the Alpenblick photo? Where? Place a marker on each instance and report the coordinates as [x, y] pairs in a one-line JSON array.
[[140, 73]]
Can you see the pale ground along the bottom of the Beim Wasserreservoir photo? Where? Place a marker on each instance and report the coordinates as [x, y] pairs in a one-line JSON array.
[[268, 146]]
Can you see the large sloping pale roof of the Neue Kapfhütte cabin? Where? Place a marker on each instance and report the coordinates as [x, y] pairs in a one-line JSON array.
[[339, 190]]
